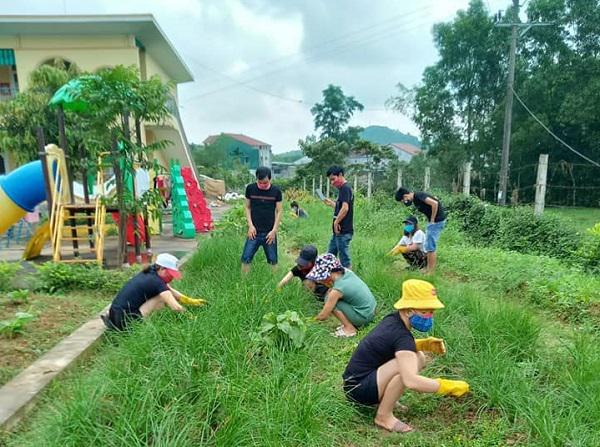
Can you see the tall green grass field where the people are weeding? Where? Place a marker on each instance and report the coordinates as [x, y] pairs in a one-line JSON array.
[[198, 378]]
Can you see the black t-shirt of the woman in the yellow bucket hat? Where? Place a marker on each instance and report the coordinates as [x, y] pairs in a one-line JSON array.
[[379, 347]]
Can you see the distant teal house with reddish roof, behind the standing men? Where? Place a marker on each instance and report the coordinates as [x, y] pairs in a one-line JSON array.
[[248, 151]]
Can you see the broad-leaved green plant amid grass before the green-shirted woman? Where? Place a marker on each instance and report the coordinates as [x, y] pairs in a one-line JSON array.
[[282, 331]]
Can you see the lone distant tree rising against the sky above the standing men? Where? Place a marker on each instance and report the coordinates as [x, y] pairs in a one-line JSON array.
[[333, 114]]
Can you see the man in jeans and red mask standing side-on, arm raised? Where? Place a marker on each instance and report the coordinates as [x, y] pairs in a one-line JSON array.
[[343, 228]]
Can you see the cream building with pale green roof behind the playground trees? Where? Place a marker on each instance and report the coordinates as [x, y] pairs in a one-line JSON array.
[[91, 43]]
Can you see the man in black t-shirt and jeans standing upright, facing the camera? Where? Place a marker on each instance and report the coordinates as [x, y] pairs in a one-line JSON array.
[[263, 214]]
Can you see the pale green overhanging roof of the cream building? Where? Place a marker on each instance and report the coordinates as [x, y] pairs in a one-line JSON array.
[[142, 26]]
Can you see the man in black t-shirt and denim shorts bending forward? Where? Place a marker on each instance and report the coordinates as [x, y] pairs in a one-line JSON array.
[[436, 218]]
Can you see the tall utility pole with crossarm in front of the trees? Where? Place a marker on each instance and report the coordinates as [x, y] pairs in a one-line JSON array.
[[515, 25]]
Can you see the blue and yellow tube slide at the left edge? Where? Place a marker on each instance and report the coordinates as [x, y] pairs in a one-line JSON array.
[[20, 191]]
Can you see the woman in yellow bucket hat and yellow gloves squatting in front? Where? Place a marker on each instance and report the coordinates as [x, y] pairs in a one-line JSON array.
[[388, 360]]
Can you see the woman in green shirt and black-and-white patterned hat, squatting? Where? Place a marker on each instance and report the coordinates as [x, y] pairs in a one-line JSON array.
[[349, 299]]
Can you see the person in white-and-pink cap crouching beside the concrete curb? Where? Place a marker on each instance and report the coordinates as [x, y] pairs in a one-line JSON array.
[[146, 292]]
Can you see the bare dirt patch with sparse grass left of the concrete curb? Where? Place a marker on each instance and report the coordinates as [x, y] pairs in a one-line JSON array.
[[55, 318]]
